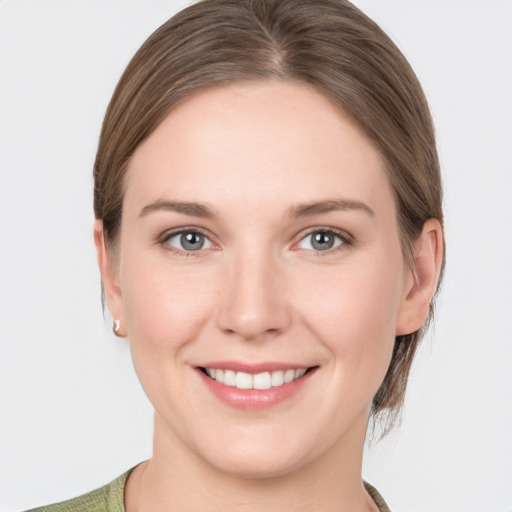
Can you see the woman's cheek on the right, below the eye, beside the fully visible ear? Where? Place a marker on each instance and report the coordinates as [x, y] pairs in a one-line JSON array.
[[353, 312]]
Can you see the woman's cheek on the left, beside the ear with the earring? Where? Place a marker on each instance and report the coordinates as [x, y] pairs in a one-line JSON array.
[[165, 310]]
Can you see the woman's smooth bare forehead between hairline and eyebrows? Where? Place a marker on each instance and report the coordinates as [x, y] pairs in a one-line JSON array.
[[241, 138]]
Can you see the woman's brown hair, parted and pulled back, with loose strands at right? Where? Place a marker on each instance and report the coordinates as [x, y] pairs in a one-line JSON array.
[[327, 44]]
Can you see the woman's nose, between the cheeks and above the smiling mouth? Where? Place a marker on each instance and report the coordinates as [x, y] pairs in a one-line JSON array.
[[254, 303]]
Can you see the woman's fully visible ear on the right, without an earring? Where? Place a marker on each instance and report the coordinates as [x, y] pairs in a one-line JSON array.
[[421, 279]]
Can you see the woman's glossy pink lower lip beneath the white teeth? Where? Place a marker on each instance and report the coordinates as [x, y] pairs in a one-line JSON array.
[[255, 398]]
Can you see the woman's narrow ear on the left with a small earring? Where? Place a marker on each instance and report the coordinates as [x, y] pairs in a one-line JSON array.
[[109, 278]]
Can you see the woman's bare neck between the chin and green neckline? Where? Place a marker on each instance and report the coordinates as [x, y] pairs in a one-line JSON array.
[[175, 478]]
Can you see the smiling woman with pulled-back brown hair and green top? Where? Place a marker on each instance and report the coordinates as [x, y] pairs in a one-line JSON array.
[[269, 234]]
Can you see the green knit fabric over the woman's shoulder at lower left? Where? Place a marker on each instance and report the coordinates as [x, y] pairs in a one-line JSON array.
[[108, 498]]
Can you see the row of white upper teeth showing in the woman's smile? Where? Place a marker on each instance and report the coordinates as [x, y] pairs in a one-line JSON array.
[[264, 380]]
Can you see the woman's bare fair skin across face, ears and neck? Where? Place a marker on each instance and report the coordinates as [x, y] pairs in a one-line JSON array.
[[259, 292]]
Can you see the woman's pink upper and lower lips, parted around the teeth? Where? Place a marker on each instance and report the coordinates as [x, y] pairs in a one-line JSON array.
[[254, 398]]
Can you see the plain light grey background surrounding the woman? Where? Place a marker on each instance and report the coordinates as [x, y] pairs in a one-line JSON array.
[[72, 414]]
